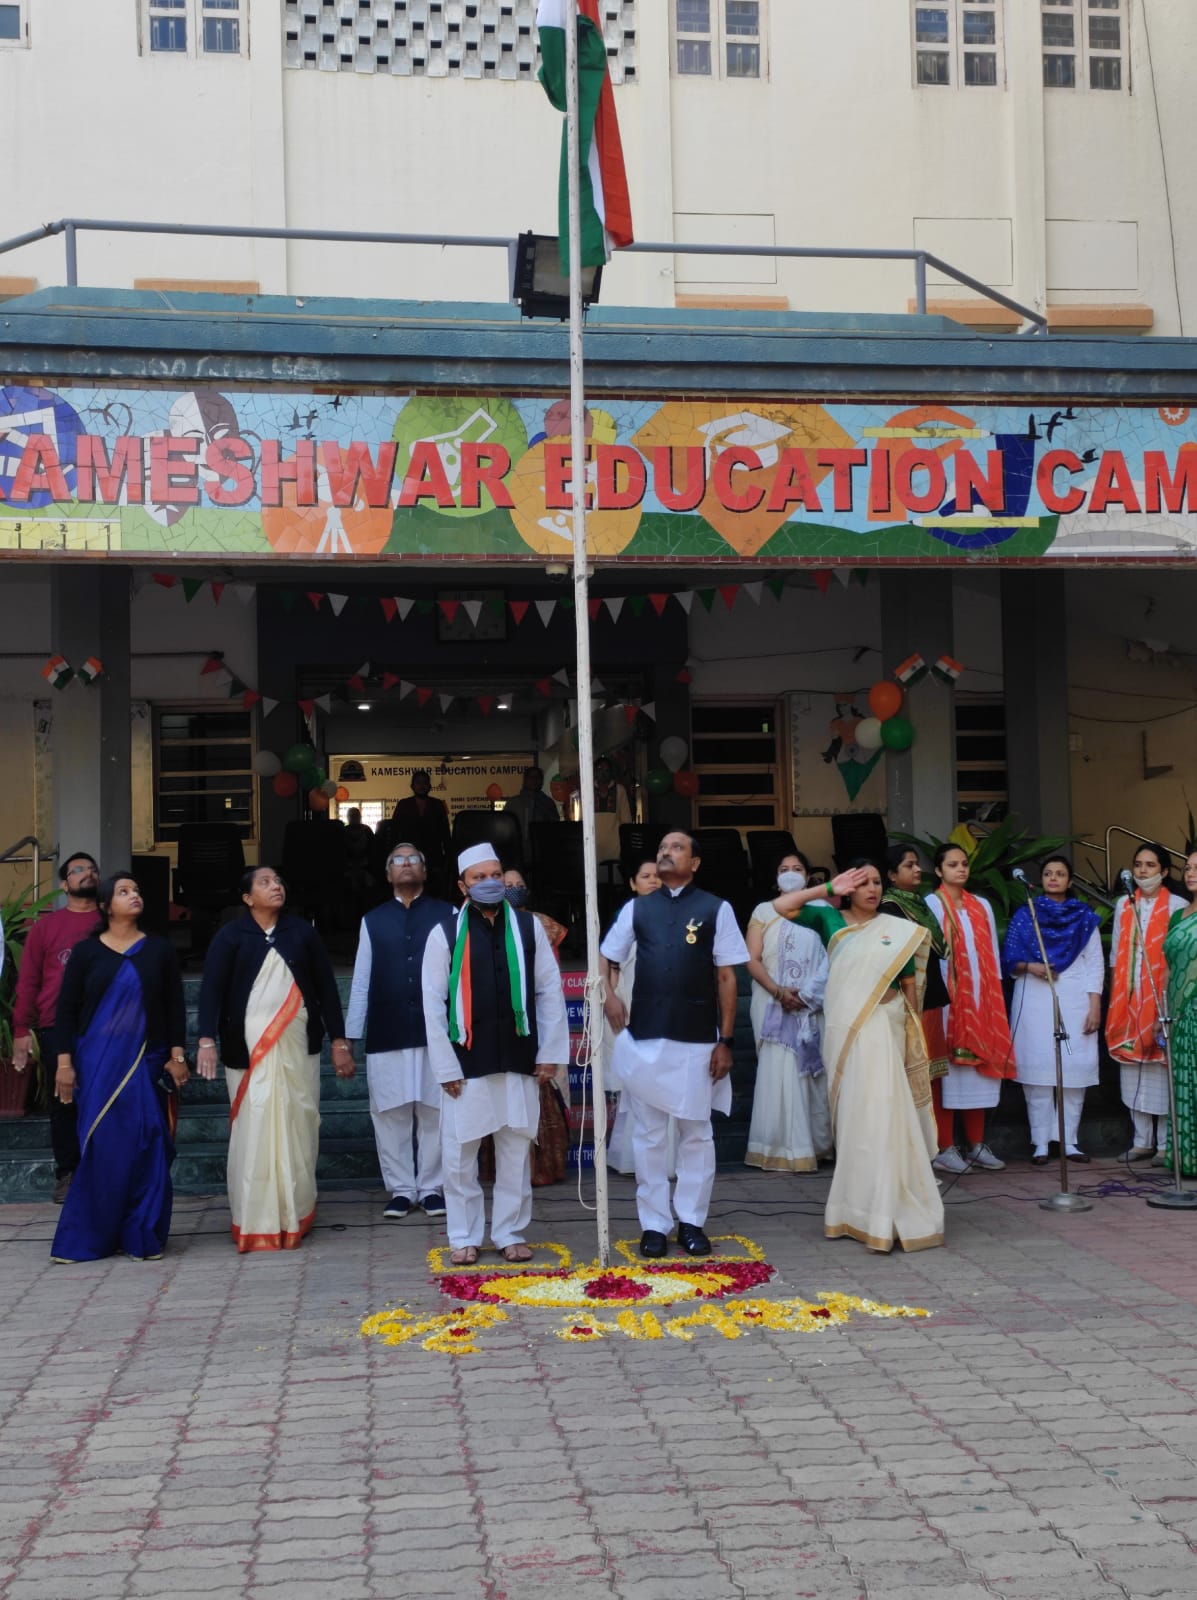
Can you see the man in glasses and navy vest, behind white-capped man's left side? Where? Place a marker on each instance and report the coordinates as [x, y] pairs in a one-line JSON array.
[[386, 1009]]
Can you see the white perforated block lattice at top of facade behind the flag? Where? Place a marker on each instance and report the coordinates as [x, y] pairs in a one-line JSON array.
[[438, 39]]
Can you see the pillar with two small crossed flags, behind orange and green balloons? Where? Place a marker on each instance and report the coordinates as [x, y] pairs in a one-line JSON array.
[[921, 783]]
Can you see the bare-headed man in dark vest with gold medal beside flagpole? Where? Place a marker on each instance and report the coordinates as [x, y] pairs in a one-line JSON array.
[[673, 1057]]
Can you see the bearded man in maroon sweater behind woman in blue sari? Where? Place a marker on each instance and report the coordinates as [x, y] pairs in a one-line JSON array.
[[44, 961]]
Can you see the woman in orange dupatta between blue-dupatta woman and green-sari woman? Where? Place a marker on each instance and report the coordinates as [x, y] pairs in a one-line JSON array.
[[1132, 1022]]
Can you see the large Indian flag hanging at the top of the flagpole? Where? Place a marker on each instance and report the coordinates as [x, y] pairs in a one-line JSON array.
[[607, 212]]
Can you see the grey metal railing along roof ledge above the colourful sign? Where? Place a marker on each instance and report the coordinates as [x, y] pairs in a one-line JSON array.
[[923, 260]]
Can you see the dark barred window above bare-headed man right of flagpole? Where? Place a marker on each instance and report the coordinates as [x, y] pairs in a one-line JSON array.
[[735, 756]]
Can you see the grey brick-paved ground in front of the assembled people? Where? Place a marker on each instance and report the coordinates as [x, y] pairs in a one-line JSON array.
[[210, 1426]]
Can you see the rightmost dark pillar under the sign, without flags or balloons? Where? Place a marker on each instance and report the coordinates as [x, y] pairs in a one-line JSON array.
[[1035, 670]]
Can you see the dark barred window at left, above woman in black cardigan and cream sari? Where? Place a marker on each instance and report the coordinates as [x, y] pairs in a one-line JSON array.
[[202, 769]]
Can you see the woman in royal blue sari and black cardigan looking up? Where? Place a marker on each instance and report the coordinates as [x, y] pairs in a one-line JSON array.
[[119, 1033]]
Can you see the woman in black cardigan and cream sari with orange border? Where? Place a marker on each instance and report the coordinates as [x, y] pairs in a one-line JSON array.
[[270, 996]]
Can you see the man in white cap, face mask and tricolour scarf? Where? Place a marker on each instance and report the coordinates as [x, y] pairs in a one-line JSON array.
[[497, 1030]]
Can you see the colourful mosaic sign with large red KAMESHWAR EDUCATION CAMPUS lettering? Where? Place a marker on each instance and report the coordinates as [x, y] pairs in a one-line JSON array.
[[361, 476]]
